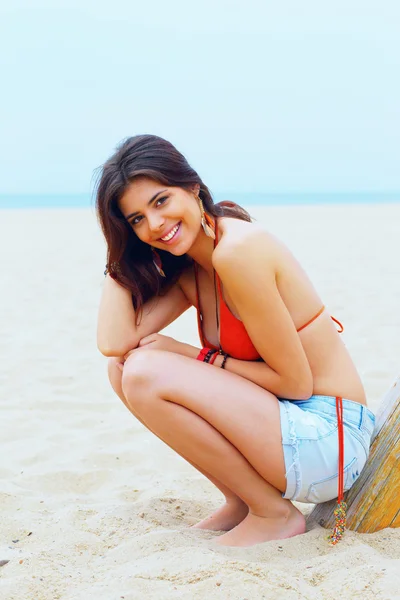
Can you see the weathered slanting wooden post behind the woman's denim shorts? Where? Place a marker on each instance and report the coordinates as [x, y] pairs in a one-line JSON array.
[[373, 502]]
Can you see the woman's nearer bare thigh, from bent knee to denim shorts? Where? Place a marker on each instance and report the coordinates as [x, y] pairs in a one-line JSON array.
[[243, 412]]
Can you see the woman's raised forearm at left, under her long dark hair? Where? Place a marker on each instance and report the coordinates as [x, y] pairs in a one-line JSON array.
[[116, 329]]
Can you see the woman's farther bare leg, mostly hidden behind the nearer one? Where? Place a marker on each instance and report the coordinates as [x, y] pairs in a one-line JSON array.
[[229, 514]]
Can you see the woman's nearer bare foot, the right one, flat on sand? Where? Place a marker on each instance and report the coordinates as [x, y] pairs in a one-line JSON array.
[[255, 530]]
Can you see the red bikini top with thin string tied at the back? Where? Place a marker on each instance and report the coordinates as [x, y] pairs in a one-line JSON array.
[[234, 339]]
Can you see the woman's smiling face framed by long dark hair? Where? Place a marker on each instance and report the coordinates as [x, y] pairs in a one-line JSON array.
[[165, 217]]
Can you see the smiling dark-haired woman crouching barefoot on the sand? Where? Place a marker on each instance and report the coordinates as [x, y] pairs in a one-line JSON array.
[[256, 413]]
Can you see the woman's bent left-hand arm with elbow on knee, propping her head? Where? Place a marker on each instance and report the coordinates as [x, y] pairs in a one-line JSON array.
[[117, 332]]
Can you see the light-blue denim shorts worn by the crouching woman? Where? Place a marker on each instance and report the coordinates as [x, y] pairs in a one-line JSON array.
[[311, 449]]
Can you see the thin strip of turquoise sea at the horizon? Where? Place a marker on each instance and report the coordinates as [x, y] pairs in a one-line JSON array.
[[37, 201]]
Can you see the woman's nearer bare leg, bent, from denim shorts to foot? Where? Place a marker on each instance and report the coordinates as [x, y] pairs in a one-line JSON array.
[[230, 428]]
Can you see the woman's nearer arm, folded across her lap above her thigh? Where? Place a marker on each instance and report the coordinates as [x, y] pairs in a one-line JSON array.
[[248, 270]]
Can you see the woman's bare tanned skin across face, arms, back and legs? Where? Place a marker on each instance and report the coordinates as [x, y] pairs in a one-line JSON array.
[[225, 422]]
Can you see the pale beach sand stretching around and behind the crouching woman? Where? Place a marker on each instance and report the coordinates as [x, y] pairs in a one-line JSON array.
[[92, 506]]
